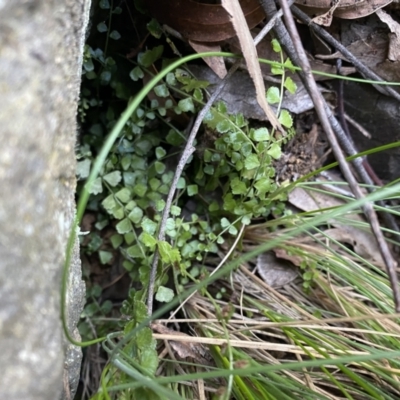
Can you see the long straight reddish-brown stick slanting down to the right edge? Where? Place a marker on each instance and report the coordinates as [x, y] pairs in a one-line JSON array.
[[320, 107]]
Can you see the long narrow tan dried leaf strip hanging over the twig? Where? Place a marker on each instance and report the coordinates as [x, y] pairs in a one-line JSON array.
[[250, 54]]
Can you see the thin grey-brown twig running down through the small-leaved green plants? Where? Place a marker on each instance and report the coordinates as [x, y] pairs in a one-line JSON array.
[[187, 152]]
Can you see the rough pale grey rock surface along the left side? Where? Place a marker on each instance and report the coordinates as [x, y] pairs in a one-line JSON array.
[[41, 43]]
